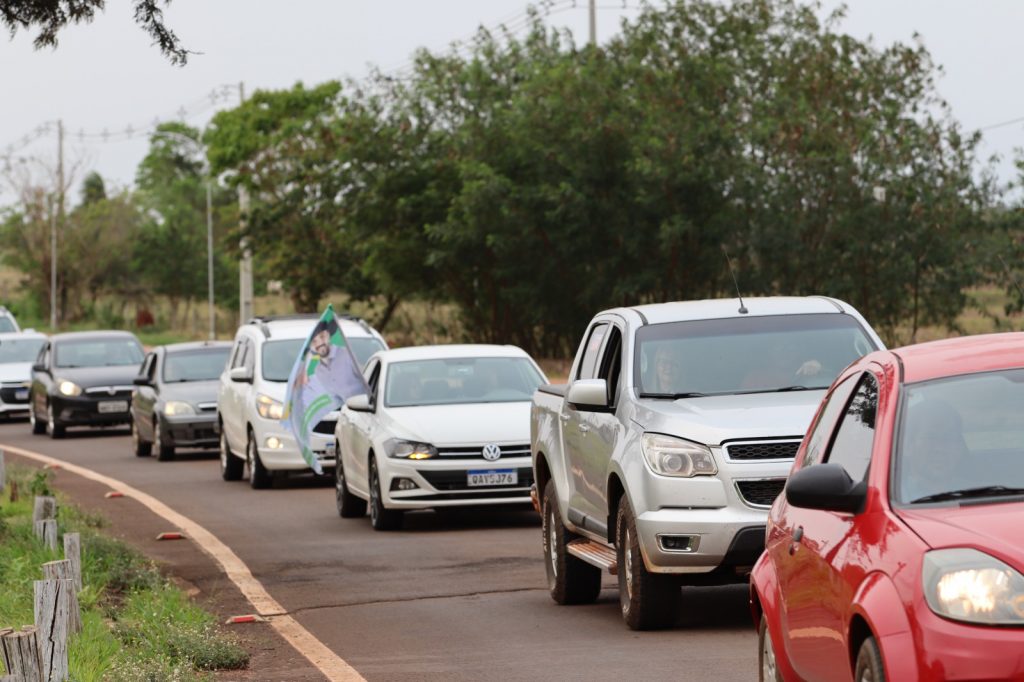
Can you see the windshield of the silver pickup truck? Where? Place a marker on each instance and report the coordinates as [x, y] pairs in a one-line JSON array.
[[746, 355]]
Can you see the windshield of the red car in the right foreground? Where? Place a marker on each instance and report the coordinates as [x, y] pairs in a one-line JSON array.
[[961, 436]]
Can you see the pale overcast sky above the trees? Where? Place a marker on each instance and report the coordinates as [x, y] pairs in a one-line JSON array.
[[107, 76]]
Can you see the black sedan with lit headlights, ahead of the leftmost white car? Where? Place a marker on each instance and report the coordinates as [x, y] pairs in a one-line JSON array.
[[83, 379]]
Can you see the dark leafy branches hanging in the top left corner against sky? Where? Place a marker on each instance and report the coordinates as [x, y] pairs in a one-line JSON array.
[[51, 17]]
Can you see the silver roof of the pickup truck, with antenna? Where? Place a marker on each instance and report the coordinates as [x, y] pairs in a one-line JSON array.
[[715, 309]]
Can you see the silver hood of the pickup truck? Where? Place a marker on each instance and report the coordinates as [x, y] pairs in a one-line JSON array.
[[717, 418]]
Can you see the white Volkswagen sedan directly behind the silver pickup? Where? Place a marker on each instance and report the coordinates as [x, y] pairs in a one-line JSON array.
[[443, 427]]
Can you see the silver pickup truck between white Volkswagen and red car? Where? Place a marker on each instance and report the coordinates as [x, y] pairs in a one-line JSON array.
[[661, 457]]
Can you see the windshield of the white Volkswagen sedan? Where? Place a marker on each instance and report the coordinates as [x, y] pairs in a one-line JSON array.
[[461, 380]]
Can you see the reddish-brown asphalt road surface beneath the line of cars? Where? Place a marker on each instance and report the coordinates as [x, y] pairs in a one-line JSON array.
[[453, 596]]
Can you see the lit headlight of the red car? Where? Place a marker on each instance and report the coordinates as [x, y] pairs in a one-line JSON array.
[[971, 586]]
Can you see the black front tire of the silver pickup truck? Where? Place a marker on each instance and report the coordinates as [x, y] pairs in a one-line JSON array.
[[649, 602]]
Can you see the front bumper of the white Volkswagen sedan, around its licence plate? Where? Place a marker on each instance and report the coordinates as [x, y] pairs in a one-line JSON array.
[[441, 484]]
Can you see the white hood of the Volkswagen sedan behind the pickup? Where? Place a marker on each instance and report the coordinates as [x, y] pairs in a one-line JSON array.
[[502, 423]]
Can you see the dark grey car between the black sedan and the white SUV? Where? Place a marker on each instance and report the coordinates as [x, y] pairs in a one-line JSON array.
[[176, 401]]
